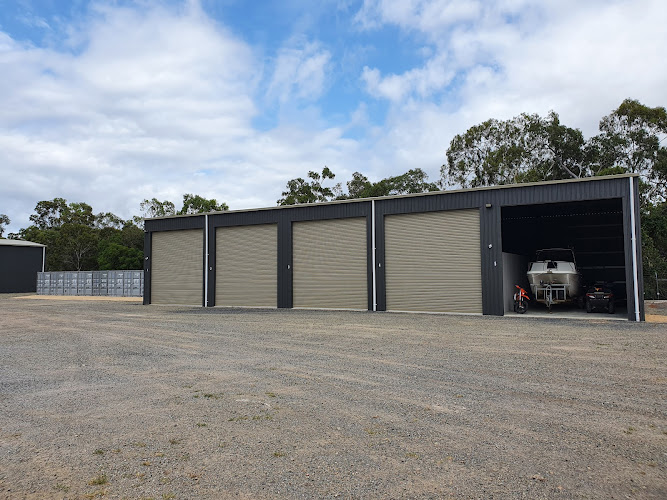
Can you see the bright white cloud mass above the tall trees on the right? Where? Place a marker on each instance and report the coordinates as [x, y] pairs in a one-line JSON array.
[[579, 59]]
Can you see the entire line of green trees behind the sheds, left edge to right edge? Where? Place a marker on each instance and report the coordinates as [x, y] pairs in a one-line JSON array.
[[526, 148]]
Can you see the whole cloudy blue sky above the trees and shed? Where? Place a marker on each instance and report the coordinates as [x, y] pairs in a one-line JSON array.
[[113, 102]]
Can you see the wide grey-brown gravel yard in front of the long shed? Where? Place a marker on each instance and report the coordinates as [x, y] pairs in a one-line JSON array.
[[121, 400]]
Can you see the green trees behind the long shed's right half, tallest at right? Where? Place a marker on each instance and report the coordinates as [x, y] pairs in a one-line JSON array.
[[532, 148]]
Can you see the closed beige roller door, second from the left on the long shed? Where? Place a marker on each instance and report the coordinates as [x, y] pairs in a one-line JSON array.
[[246, 266]]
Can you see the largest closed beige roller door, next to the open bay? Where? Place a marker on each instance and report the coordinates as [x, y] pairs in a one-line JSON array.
[[432, 262]]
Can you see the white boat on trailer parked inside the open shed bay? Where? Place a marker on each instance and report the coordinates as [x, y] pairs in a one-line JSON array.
[[554, 277]]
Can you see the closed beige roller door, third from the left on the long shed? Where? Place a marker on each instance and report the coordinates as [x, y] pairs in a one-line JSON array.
[[329, 262]]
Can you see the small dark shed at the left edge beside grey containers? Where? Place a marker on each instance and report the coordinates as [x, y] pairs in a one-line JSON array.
[[20, 261]]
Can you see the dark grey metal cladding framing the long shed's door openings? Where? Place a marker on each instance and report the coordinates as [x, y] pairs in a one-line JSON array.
[[489, 201]]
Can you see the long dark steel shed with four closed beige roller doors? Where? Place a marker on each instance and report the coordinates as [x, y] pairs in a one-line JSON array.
[[446, 251]]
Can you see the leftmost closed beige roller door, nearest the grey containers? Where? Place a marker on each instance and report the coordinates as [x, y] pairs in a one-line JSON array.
[[177, 267]]
